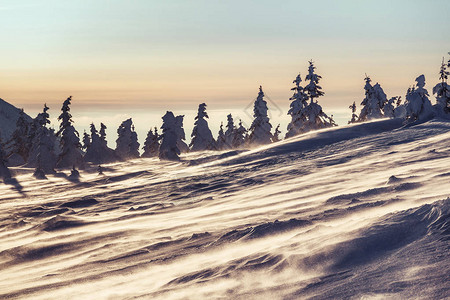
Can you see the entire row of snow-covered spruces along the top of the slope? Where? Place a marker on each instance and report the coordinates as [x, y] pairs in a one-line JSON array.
[[34, 144]]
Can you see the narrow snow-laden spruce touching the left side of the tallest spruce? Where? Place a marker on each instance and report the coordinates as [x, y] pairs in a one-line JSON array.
[[296, 110]]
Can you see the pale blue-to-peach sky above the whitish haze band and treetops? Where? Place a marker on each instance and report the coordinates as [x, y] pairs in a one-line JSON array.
[[172, 55]]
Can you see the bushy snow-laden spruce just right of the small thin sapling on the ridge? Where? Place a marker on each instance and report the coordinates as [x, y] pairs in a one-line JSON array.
[[373, 103]]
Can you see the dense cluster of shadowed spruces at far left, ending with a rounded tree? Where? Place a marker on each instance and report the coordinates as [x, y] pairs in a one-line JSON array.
[[35, 145]]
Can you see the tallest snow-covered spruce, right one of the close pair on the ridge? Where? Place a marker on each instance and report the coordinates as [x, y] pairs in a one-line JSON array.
[[315, 117]]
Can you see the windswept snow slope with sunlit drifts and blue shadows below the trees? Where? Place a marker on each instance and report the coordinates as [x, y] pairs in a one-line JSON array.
[[359, 211]]
